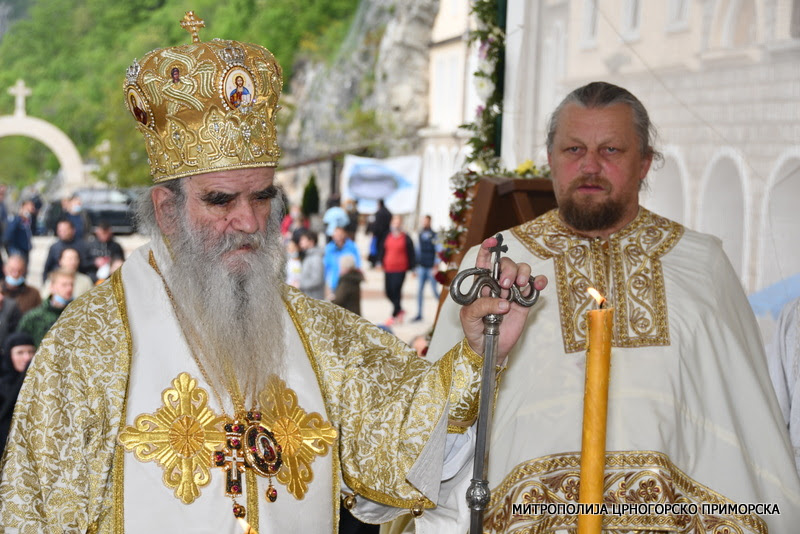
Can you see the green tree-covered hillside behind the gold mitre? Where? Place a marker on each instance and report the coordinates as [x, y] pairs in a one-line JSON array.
[[73, 55]]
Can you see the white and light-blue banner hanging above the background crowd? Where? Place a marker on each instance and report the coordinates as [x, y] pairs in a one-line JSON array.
[[395, 180]]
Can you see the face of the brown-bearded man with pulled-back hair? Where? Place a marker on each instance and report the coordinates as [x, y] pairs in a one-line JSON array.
[[597, 168]]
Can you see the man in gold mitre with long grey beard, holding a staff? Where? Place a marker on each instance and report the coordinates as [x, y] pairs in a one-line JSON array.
[[194, 391]]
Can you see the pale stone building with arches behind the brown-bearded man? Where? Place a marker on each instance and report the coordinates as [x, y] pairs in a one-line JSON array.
[[721, 79]]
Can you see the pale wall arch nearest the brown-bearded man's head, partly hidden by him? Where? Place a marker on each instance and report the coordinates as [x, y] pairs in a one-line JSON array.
[[666, 191]]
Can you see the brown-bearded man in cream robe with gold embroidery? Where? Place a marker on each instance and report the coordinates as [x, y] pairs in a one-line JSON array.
[[692, 417]]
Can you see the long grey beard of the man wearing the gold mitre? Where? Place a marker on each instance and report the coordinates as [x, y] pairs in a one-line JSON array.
[[230, 309]]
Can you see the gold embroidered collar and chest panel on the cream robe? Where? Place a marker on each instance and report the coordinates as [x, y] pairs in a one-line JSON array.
[[626, 267]]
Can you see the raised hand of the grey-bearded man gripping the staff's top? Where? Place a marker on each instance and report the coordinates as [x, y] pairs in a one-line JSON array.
[[514, 315]]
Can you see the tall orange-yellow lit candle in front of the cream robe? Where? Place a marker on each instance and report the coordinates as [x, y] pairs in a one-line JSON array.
[[595, 408]]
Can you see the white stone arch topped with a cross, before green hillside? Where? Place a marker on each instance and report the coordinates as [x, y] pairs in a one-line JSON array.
[[53, 138]]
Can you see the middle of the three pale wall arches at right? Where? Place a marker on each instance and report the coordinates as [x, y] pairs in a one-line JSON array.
[[724, 207]]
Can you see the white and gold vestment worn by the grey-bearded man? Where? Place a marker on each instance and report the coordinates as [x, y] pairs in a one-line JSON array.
[[115, 425]]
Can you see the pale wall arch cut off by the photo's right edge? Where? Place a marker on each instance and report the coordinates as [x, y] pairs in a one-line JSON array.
[[778, 255]]
